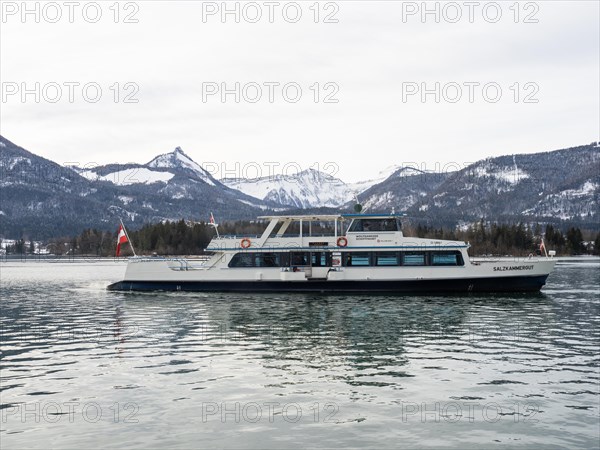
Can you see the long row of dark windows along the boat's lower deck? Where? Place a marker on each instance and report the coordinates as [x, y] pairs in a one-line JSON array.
[[348, 259]]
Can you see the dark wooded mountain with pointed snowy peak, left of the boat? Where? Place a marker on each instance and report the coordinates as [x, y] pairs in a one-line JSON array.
[[43, 199]]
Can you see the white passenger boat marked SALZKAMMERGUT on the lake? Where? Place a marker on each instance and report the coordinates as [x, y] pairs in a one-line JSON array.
[[365, 253]]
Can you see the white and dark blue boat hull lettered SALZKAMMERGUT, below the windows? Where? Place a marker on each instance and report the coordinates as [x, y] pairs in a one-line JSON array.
[[181, 275]]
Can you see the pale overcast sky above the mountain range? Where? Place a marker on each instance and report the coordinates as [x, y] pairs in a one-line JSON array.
[[511, 80]]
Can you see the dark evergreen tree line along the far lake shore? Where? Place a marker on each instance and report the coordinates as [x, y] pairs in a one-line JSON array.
[[191, 238]]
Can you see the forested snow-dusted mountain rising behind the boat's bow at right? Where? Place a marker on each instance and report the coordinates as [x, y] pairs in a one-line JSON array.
[[550, 186]]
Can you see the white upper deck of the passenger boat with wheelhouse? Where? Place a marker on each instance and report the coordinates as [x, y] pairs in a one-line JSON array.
[[350, 231]]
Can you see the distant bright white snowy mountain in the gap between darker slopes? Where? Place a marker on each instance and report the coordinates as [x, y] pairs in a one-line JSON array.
[[307, 189]]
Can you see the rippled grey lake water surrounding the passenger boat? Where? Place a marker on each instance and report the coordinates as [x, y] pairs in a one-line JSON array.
[[83, 367]]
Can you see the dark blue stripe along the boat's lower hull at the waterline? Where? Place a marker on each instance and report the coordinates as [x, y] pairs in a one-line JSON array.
[[492, 284]]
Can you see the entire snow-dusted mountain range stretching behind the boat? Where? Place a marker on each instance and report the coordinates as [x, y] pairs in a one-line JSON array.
[[42, 199]]
